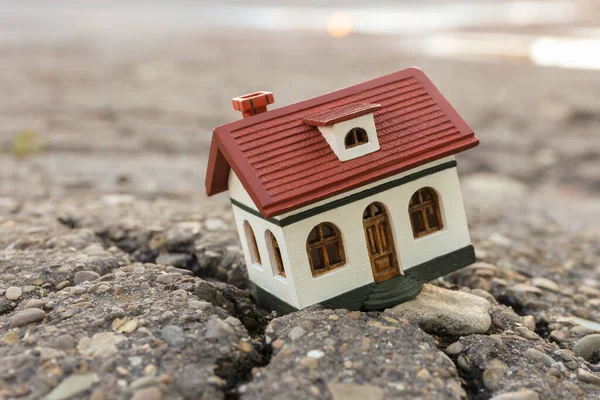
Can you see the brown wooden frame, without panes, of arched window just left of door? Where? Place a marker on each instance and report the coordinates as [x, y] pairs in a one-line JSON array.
[[320, 244]]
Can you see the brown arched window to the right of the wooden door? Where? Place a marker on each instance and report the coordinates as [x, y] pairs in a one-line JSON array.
[[425, 213]]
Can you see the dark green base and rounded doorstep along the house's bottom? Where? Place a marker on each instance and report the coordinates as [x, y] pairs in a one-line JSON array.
[[377, 296]]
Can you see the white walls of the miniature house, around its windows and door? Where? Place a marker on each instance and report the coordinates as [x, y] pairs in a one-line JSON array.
[[357, 272]]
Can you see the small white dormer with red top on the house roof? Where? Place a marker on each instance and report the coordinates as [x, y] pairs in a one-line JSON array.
[[349, 129]]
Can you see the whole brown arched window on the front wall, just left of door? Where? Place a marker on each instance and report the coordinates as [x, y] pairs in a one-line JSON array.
[[325, 249]]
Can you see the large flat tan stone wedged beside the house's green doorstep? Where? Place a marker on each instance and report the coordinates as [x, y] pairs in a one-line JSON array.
[[456, 313]]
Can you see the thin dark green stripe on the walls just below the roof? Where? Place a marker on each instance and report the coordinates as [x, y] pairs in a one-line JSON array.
[[351, 198]]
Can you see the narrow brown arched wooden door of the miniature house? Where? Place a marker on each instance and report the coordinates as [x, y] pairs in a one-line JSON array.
[[380, 243]]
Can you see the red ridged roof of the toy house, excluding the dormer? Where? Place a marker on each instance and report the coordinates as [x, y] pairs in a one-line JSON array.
[[285, 164]]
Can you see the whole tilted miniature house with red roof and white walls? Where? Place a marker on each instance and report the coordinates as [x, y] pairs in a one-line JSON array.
[[350, 199]]
